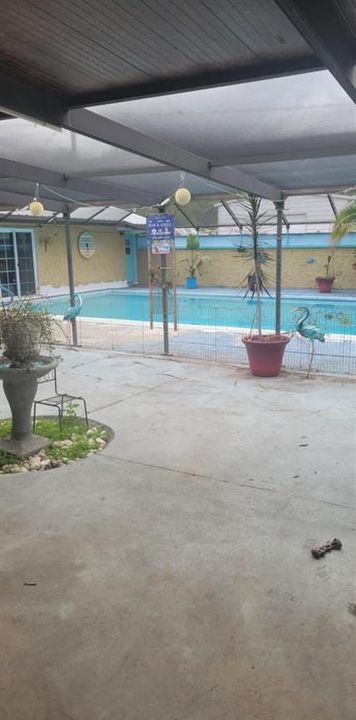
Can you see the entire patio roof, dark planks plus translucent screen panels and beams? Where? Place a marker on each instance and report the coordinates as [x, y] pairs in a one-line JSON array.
[[253, 127]]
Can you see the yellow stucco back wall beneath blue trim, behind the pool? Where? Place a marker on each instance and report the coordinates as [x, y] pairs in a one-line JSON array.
[[228, 269]]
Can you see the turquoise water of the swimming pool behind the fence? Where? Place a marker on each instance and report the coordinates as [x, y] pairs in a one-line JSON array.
[[231, 311]]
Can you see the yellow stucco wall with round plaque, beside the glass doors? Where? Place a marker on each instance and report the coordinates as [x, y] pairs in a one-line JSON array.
[[107, 263]]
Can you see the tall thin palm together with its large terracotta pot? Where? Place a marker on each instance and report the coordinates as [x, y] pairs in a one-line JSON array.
[[265, 350]]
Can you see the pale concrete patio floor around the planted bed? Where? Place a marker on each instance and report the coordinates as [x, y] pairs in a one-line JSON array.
[[173, 575]]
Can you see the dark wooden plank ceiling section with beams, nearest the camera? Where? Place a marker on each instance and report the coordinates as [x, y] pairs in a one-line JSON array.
[[83, 53]]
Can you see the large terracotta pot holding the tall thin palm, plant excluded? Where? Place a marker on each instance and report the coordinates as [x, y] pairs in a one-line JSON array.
[[265, 353]]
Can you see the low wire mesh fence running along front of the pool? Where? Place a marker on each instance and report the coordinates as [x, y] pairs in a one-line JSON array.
[[207, 331]]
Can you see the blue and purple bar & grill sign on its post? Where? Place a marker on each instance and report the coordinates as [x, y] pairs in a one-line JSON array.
[[160, 234]]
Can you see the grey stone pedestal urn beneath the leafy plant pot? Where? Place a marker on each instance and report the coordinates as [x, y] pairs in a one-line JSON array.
[[20, 387]]
